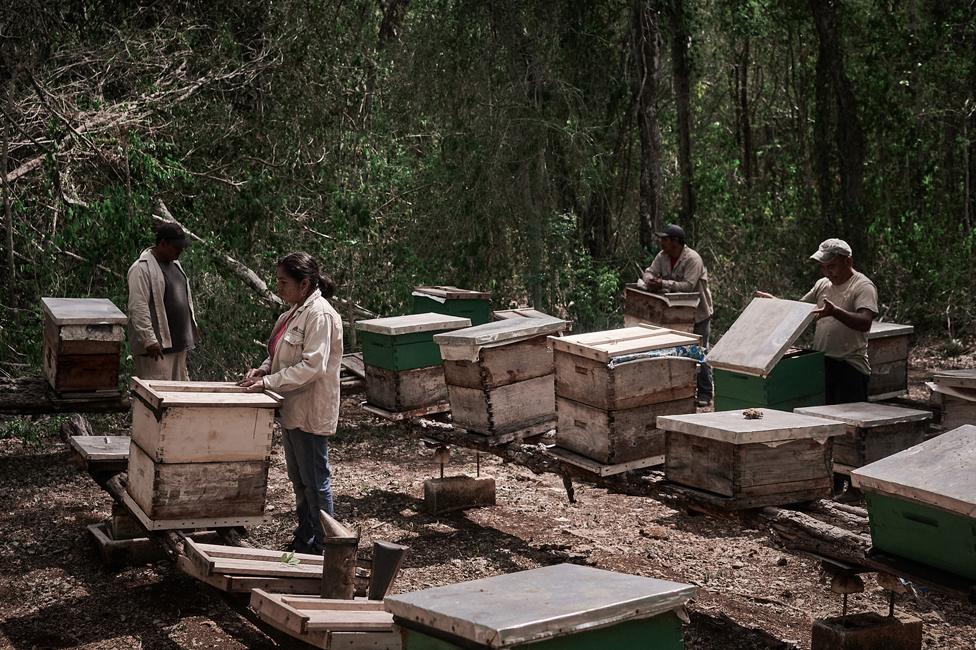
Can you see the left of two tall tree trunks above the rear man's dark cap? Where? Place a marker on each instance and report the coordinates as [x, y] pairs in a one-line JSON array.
[[647, 56]]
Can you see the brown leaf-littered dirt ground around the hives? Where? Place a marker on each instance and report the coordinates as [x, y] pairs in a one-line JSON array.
[[54, 593]]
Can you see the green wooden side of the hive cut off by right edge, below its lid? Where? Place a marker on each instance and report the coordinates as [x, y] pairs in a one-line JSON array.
[[923, 533]]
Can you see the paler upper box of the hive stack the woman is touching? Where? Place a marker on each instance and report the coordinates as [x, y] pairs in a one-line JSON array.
[[201, 422]]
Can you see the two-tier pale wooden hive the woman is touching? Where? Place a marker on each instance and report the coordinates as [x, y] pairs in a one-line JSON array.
[[199, 454]]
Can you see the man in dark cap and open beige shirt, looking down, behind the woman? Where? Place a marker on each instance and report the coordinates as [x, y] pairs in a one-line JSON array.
[[162, 326]]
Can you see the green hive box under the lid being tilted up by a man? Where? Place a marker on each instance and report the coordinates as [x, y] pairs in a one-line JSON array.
[[795, 381]]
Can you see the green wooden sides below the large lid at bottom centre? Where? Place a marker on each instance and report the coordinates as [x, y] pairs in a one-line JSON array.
[[662, 632]]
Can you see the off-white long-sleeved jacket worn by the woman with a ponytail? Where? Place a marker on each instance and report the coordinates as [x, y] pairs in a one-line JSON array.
[[305, 367]]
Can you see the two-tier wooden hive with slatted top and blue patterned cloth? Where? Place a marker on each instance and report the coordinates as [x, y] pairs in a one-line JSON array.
[[610, 387]]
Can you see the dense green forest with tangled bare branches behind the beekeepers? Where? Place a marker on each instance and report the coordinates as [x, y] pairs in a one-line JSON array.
[[522, 148]]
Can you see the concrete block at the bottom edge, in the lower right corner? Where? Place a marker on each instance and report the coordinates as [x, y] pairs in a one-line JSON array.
[[867, 631]]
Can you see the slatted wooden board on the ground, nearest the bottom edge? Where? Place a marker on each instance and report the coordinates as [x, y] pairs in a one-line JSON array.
[[329, 624]]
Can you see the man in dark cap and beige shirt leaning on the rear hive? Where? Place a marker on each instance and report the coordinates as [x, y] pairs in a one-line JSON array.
[[678, 268]]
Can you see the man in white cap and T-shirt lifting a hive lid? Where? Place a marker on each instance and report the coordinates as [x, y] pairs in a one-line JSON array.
[[847, 302]]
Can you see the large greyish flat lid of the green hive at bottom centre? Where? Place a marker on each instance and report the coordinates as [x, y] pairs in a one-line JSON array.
[[527, 606]]
